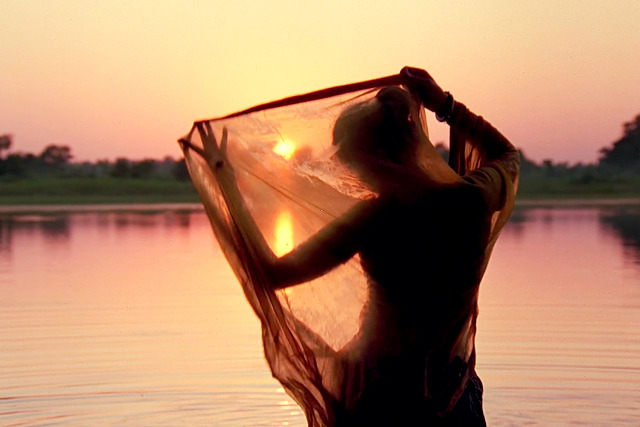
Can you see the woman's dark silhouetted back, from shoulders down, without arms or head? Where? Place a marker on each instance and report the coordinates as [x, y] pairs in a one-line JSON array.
[[423, 251]]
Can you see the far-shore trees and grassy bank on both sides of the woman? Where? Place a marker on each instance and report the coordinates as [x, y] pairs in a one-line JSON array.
[[53, 176]]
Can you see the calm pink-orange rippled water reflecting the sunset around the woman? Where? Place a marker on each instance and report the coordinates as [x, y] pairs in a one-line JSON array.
[[134, 318]]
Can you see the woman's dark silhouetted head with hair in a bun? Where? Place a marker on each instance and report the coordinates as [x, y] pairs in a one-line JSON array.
[[381, 128]]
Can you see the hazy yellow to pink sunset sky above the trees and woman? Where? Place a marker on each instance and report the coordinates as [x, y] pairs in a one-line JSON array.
[[127, 78]]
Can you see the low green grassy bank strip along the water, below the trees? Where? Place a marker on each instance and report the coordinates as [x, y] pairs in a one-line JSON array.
[[82, 194]]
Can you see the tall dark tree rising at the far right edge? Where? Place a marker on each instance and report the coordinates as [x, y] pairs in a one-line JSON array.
[[625, 152]]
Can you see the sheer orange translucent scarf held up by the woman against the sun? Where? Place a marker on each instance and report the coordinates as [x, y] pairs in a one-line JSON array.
[[293, 185]]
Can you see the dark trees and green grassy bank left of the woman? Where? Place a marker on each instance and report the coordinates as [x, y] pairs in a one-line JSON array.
[[53, 177]]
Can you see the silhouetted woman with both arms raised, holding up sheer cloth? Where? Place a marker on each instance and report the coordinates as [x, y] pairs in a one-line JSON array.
[[423, 243]]
